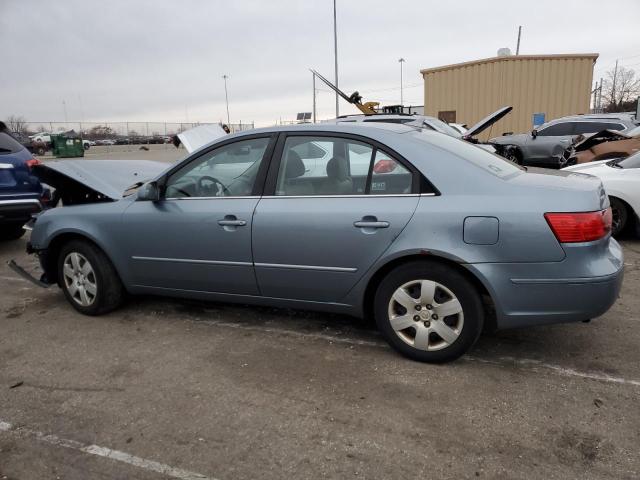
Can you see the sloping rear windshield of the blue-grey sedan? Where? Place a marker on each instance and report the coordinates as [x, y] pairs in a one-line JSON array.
[[490, 162]]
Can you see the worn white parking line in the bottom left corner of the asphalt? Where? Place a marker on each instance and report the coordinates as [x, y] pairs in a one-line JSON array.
[[105, 452]]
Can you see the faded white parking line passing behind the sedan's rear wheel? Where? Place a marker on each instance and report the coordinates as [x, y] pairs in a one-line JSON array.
[[533, 365]]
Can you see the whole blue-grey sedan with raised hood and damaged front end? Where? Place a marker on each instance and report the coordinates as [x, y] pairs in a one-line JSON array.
[[431, 236]]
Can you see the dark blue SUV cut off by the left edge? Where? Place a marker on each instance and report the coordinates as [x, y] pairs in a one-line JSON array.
[[21, 194]]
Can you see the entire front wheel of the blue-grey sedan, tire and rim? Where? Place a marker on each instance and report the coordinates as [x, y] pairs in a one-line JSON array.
[[88, 279]]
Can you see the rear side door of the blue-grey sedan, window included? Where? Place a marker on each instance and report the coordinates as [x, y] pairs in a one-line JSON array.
[[316, 233]]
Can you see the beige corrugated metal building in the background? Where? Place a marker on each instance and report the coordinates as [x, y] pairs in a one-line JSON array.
[[553, 85]]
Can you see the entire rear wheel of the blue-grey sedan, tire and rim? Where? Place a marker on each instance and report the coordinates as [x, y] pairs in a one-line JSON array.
[[428, 311]]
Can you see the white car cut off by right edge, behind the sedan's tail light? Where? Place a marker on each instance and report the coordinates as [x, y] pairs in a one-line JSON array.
[[621, 180]]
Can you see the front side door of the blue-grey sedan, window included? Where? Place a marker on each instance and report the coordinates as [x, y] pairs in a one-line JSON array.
[[198, 236]]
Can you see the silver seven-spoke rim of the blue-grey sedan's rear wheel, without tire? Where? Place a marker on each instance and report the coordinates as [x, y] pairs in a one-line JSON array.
[[426, 315]]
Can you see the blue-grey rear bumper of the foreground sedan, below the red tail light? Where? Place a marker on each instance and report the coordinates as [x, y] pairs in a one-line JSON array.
[[546, 293]]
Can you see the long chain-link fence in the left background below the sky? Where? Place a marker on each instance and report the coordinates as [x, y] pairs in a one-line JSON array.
[[123, 133]]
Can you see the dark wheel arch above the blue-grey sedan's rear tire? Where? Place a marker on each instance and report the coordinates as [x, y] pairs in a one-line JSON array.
[[375, 279]]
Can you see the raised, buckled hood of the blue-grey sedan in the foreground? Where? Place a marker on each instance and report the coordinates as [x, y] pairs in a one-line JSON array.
[[106, 178]]
